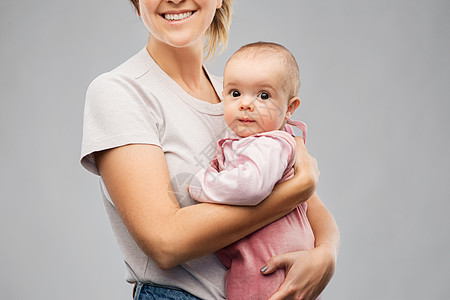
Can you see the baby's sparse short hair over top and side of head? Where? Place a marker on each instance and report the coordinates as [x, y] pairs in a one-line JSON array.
[[264, 50]]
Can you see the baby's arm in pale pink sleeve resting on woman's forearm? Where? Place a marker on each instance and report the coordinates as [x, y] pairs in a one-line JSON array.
[[257, 166]]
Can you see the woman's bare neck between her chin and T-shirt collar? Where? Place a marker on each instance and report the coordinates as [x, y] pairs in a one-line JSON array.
[[184, 65]]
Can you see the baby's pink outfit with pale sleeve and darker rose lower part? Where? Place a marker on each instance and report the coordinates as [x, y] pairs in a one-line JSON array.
[[244, 172]]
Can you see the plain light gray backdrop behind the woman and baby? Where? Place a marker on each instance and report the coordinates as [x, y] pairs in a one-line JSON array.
[[375, 94]]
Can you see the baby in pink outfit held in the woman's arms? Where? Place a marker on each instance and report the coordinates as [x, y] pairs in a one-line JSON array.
[[261, 82]]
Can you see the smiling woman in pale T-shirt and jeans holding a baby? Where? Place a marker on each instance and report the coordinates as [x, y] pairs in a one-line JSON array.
[[149, 125]]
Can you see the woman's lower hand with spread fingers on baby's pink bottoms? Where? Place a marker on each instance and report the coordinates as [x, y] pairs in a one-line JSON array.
[[307, 272]]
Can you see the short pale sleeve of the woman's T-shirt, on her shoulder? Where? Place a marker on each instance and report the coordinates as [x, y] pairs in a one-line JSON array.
[[115, 114]]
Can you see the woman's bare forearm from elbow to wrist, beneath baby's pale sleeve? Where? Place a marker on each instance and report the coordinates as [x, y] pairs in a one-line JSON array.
[[213, 226]]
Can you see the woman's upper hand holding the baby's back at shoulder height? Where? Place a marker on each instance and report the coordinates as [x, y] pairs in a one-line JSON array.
[[305, 164]]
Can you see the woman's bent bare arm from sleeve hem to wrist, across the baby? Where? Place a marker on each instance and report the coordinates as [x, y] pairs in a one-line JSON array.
[[138, 182]]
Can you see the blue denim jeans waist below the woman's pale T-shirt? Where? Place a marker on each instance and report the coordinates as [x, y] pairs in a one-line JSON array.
[[151, 291]]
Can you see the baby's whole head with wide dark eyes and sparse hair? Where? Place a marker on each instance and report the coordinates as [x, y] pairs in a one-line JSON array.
[[260, 86]]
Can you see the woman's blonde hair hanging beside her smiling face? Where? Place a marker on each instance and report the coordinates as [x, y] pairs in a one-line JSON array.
[[217, 32]]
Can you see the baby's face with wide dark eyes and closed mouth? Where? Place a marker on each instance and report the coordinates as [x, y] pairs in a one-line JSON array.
[[253, 96]]
